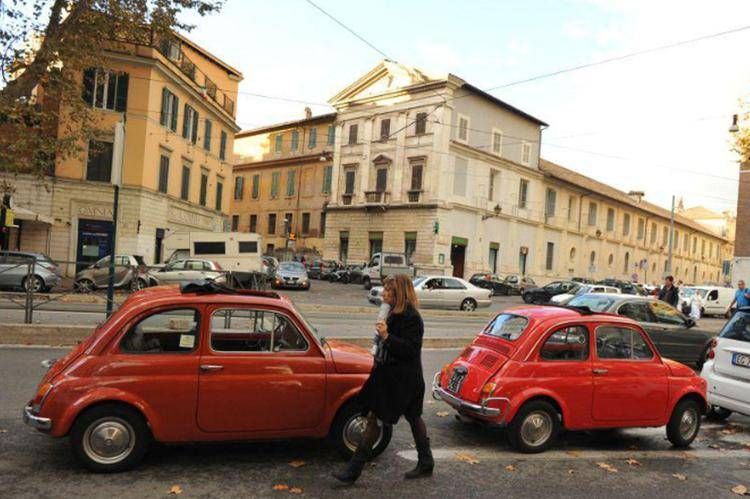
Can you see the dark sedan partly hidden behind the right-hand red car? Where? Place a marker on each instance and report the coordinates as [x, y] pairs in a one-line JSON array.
[[675, 335]]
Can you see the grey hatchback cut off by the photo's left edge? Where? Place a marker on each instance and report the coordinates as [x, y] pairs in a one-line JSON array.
[[14, 271]]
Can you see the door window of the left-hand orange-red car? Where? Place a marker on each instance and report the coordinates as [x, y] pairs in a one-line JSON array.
[[248, 330]]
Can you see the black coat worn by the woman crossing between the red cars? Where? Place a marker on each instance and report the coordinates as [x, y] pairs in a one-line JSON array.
[[396, 386]]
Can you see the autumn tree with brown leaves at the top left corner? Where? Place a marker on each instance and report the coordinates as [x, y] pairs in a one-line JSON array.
[[45, 46]]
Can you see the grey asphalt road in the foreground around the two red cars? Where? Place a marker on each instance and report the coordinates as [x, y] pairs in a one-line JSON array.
[[33, 465]]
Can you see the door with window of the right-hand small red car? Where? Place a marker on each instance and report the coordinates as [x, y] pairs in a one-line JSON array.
[[629, 380]]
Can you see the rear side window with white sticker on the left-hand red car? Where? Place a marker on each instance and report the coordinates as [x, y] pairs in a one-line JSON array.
[[170, 331]]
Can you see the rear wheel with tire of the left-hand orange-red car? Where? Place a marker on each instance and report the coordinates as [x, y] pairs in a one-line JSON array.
[[110, 438]]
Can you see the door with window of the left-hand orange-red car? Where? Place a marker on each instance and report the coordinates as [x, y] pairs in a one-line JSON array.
[[260, 371]]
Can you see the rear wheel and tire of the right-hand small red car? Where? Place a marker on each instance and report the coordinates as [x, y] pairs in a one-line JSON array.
[[535, 427]]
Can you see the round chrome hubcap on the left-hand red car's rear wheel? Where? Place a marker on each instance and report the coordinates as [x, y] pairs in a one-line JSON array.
[[109, 441]]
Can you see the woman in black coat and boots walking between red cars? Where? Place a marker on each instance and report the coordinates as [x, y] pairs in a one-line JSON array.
[[395, 387]]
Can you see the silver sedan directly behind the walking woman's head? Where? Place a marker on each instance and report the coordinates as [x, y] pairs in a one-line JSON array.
[[443, 292]]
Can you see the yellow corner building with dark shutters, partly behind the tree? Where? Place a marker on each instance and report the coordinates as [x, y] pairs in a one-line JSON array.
[[178, 105]]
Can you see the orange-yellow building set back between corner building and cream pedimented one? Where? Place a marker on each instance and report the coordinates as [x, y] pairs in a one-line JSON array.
[[283, 176]]
